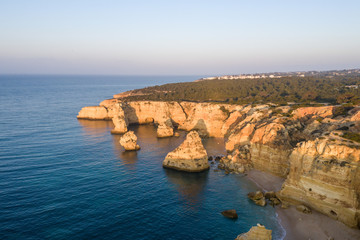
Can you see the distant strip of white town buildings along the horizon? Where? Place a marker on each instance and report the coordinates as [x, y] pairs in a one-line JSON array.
[[329, 74]]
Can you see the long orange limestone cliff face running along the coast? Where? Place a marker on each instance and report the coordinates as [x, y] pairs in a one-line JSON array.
[[313, 147]]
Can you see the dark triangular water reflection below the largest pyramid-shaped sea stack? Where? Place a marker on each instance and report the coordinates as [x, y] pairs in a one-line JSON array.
[[189, 185]]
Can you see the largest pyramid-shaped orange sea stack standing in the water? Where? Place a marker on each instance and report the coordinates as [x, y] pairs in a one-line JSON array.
[[190, 156]]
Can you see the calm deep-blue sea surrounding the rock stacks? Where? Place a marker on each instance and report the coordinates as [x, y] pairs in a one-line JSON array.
[[62, 178]]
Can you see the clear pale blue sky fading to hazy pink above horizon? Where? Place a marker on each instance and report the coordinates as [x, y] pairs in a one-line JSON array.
[[162, 37]]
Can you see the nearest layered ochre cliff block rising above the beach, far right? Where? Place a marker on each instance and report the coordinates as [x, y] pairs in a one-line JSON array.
[[325, 175]]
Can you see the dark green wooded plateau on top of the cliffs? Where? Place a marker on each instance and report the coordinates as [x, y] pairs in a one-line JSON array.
[[303, 90]]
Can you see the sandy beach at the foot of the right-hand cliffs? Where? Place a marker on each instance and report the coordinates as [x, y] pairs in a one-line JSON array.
[[300, 226]]
